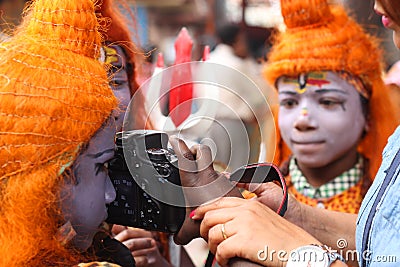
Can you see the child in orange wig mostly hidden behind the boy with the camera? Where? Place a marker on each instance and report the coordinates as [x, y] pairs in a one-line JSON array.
[[120, 52]]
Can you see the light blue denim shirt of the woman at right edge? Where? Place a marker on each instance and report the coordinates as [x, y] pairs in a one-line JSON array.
[[384, 238]]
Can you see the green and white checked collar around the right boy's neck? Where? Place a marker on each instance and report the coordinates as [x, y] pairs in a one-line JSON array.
[[341, 183]]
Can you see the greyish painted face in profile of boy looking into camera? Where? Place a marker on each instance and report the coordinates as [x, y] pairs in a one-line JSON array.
[[84, 202]]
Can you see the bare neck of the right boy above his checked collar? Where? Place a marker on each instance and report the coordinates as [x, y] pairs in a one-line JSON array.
[[322, 175]]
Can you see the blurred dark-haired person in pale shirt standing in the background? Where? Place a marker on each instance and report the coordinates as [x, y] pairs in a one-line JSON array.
[[234, 115]]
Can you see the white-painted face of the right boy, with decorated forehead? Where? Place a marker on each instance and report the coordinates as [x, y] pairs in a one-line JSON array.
[[321, 120]]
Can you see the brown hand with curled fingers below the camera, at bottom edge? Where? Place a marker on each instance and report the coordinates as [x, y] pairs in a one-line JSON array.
[[142, 246]]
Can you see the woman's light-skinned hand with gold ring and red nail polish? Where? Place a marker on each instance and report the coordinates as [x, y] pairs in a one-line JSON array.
[[248, 229]]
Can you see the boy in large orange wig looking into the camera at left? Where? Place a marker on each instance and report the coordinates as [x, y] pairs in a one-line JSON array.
[[57, 127]]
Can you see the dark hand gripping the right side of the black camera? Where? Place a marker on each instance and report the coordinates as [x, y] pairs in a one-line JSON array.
[[201, 184]]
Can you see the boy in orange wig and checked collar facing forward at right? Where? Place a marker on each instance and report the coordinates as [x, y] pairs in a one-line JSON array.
[[334, 114]]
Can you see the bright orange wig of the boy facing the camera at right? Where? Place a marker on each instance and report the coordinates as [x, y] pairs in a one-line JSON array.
[[322, 37]]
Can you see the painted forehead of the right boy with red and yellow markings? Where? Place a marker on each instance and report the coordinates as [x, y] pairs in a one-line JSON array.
[[315, 80]]
